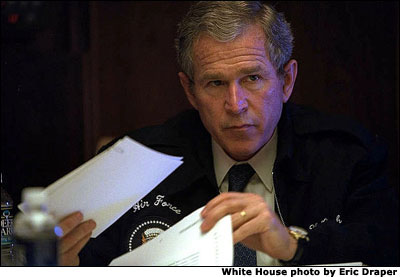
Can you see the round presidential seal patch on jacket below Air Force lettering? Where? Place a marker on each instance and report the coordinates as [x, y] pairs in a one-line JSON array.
[[150, 228]]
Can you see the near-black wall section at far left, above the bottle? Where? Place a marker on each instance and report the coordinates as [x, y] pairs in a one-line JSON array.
[[41, 91]]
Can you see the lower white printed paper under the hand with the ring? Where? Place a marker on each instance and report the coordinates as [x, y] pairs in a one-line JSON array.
[[184, 245]]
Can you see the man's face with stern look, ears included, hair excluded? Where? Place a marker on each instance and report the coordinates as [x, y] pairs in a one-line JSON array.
[[237, 91]]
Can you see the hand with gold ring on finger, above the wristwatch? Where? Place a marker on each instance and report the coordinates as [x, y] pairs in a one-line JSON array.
[[259, 229]]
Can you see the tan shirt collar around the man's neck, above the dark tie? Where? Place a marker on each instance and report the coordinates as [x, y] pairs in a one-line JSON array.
[[262, 162]]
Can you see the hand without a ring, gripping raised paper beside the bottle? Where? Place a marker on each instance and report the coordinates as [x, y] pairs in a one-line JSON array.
[[75, 236]]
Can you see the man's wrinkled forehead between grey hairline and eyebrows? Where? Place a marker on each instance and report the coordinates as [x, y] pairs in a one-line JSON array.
[[247, 47]]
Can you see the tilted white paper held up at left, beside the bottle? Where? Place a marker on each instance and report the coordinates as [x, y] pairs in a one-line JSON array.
[[105, 187]]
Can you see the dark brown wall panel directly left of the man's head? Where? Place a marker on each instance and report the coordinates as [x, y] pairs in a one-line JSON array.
[[131, 69]]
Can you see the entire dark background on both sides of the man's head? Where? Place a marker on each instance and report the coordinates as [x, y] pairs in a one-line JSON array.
[[75, 74]]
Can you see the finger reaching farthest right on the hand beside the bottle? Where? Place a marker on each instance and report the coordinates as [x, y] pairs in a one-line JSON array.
[[78, 233]]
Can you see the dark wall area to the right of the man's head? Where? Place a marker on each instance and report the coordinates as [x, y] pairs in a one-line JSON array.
[[348, 64]]
